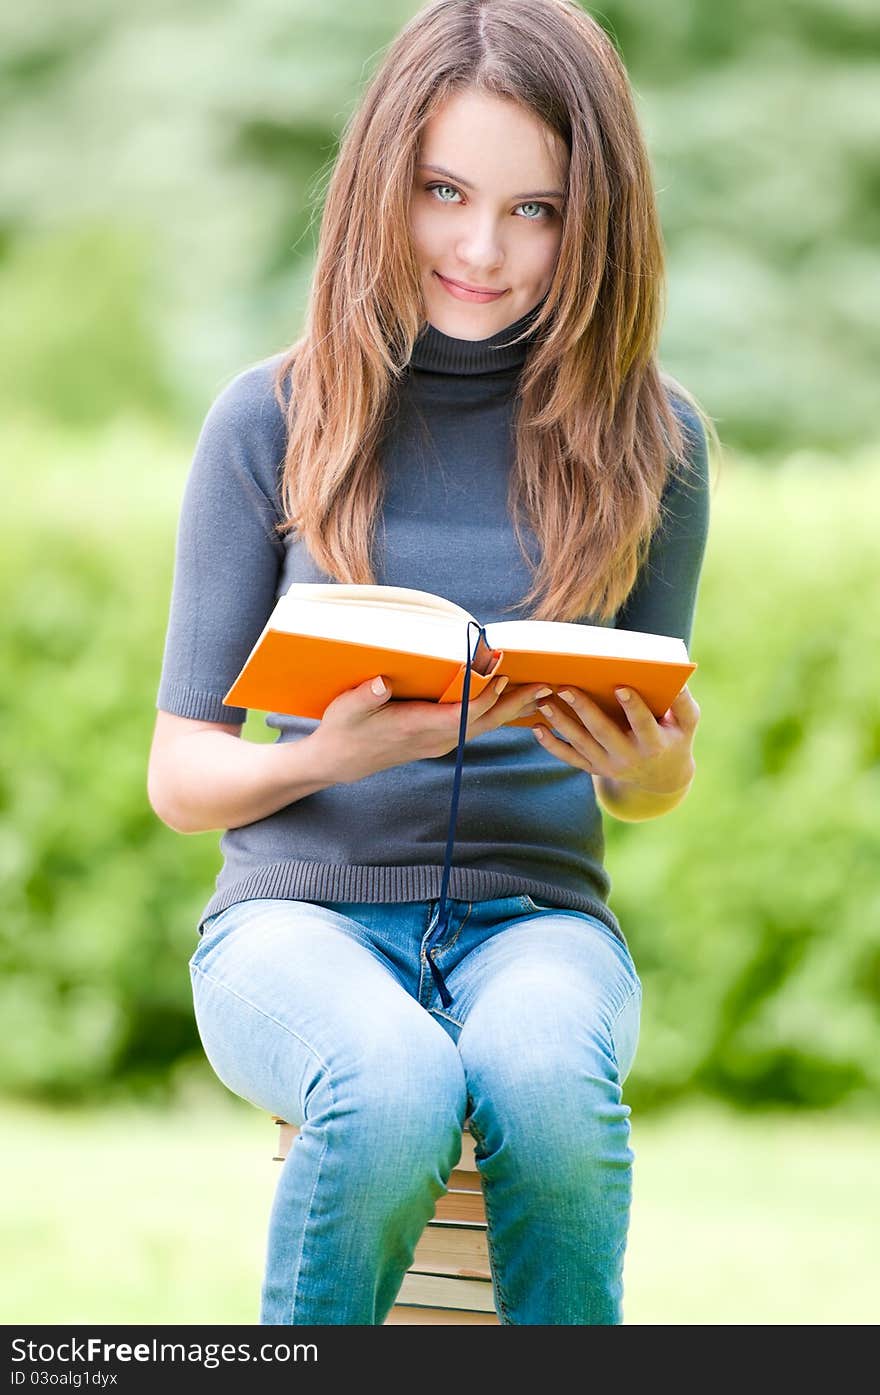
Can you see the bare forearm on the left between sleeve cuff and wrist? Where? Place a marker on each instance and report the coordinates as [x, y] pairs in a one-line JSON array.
[[224, 782]]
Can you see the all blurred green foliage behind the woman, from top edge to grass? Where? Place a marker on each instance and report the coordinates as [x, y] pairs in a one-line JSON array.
[[162, 174]]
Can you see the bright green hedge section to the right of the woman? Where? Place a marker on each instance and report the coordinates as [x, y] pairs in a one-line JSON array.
[[754, 909]]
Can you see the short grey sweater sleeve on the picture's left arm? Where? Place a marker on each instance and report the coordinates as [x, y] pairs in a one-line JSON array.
[[228, 557]]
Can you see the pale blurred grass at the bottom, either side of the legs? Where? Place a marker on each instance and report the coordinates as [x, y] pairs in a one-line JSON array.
[[132, 1216]]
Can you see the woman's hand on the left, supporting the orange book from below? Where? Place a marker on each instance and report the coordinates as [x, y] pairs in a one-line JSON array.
[[363, 733]]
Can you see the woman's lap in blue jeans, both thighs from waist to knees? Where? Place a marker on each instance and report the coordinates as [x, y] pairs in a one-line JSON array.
[[291, 994]]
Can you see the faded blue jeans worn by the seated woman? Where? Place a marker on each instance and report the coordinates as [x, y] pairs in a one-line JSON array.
[[327, 1015]]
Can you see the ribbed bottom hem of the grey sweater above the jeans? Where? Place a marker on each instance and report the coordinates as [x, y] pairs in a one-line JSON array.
[[333, 882]]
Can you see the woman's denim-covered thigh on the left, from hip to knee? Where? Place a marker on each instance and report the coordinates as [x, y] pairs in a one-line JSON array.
[[292, 1001]]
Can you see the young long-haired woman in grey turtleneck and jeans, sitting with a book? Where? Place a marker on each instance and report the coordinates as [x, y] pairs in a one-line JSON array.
[[475, 411]]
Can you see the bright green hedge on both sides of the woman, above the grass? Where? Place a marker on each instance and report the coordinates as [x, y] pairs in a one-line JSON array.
[[752, 910]]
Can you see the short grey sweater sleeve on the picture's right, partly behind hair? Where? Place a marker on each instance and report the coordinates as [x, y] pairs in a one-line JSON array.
[[665, 596]]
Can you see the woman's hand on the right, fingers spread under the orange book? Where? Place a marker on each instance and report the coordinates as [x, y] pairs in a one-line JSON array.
[[653, 755]]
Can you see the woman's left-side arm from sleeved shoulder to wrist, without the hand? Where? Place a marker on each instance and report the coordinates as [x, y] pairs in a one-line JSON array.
[[227, 577]]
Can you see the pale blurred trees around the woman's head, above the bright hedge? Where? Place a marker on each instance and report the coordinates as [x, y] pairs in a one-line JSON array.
[[164, 169]]
